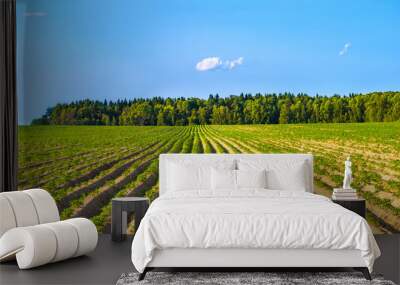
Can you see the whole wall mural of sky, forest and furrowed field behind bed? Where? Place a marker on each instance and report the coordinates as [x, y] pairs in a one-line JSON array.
[[103, 91]]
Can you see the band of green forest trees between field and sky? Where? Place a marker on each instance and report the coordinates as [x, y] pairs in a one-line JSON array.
[[285, 108]]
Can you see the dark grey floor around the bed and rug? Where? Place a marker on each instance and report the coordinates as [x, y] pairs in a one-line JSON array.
[[110, 260]]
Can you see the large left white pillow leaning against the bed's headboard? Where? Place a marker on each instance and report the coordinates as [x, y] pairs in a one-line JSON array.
[[193, 175]]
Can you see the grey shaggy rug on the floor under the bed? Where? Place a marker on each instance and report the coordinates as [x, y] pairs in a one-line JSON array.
[[269, 278]]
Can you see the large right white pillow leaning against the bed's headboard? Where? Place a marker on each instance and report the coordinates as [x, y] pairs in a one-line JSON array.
[[281, 174]]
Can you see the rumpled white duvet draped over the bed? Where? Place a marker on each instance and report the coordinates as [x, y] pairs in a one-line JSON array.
[[250, 219]]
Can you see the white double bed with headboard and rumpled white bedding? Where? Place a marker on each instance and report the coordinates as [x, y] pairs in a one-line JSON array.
[[249, 227]]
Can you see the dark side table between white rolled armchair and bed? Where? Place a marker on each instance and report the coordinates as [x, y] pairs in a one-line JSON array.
[[121, 207]]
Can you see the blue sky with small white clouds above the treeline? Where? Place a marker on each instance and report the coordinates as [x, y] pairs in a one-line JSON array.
[[75, 49]]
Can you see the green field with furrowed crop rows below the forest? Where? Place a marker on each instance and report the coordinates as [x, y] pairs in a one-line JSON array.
[[84, 167]]
